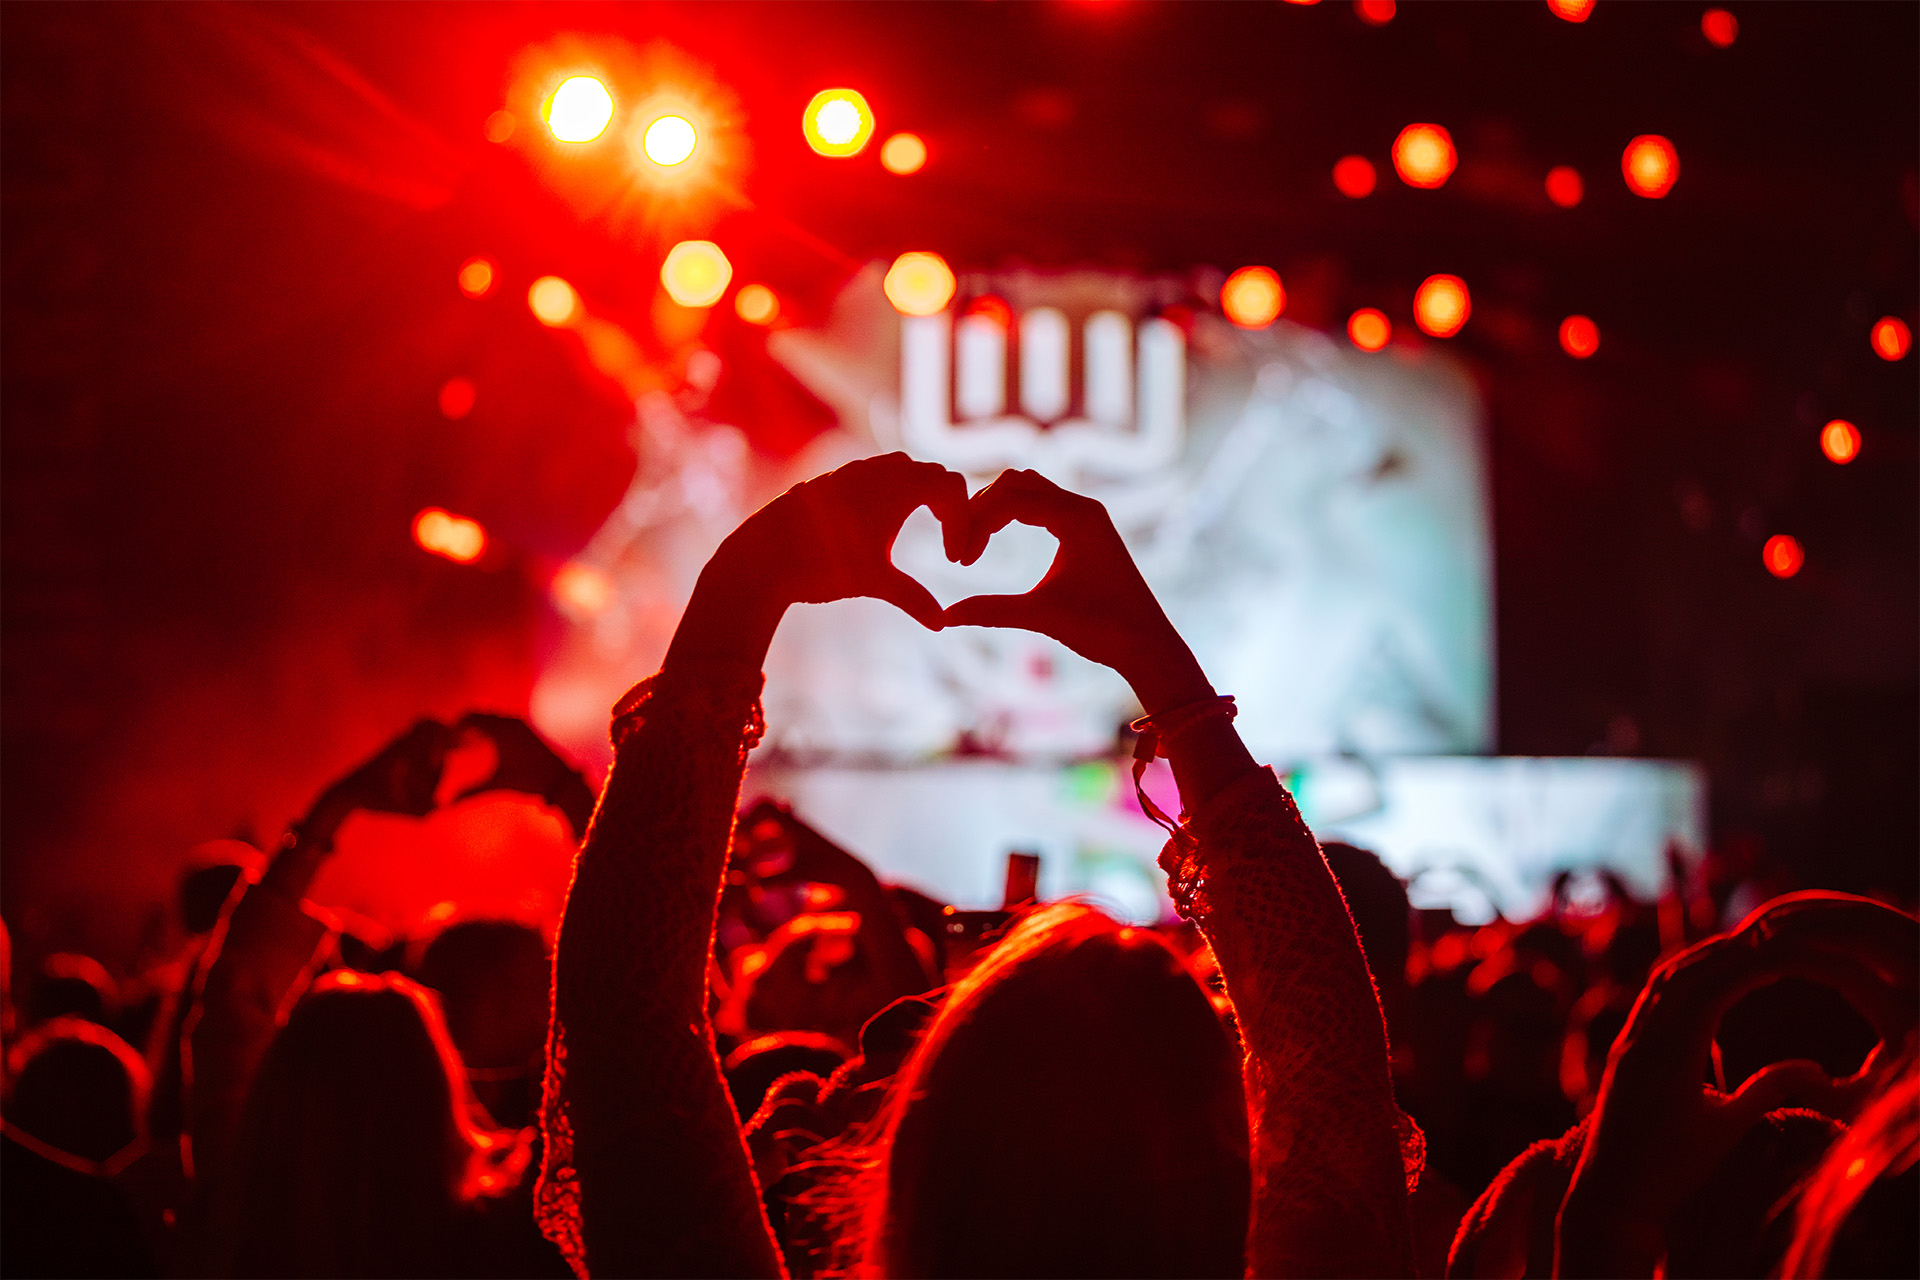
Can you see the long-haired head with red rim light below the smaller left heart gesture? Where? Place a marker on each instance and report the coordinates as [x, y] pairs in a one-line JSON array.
[[356, 1150]]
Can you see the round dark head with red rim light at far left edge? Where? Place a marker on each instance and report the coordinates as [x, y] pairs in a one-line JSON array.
[[78, 1087]]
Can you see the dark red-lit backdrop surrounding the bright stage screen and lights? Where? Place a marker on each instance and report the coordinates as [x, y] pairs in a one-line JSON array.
[[229, 250]]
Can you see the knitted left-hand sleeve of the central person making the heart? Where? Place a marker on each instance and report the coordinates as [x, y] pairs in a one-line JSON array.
[[644, 1166]]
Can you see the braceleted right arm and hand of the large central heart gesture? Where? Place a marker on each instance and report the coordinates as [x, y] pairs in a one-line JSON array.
[[1330, 1187]]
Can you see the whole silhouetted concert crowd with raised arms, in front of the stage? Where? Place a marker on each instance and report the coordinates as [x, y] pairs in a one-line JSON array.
[[742, 1055]]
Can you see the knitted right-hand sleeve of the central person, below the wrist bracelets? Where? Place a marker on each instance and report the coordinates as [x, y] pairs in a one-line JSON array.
[[1330, 1179]]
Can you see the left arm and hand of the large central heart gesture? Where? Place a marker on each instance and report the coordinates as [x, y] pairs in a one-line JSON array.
[[646, 1172]]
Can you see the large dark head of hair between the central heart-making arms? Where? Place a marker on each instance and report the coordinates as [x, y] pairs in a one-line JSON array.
[[1072, 1110]]
